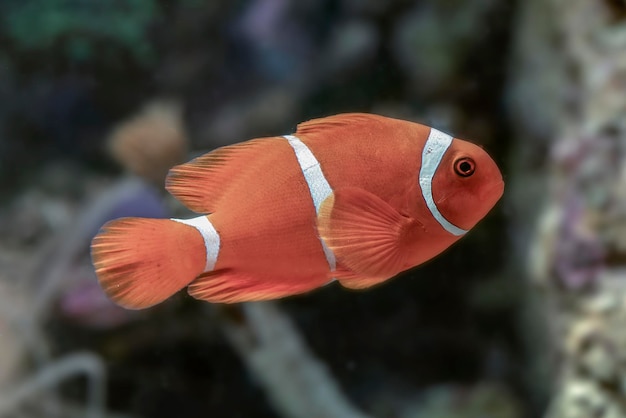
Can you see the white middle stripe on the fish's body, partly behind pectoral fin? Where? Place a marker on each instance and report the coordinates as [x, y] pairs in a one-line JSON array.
[[318, 185]]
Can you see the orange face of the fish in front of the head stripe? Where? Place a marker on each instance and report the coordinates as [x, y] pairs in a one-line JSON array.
[[466, 185]]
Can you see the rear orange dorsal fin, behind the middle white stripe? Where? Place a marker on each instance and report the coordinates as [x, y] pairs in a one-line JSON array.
[[200, 183]]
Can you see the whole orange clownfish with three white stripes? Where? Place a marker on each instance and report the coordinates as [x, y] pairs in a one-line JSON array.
[[354, 197]]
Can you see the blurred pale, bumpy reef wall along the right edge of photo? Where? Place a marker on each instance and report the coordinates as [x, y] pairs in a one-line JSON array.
[[567, 99]]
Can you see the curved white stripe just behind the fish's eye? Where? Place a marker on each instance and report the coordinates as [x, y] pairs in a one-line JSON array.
[[434, 149]]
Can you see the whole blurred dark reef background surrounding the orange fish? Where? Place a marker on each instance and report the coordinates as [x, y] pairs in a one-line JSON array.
[[524, 317]]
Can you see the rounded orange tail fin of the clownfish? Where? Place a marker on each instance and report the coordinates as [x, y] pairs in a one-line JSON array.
[[141, 262]]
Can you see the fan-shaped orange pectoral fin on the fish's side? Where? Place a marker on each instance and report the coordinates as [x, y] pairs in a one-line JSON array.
[[366, 234]]
